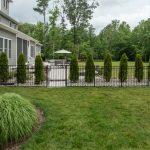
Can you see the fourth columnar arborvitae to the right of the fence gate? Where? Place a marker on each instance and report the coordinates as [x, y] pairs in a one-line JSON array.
[[123, 70]]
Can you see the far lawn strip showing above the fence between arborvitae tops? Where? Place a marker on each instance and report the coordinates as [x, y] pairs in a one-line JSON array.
[[114, 63]]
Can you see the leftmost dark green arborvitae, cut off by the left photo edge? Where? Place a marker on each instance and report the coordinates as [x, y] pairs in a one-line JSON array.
[[4, 72]]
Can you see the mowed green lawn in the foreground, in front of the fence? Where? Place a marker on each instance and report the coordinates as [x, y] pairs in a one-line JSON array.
[[90, 118]]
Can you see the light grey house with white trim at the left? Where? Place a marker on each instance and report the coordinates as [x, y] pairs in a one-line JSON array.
[[14, 42]]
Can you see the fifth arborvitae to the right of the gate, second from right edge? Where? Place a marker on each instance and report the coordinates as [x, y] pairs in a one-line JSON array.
[[139, 68]]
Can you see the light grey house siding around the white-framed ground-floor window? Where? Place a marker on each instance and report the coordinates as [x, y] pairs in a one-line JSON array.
[[12, 37]]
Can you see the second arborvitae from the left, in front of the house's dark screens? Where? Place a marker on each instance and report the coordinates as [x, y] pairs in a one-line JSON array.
[[21, 69]]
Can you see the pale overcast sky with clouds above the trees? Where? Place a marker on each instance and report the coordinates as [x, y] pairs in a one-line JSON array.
[[131, 11]]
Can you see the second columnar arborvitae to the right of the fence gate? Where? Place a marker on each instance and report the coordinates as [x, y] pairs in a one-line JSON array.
[[89, 69]]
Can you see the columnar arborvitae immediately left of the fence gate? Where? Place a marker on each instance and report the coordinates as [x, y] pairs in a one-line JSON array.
[[39, 70]]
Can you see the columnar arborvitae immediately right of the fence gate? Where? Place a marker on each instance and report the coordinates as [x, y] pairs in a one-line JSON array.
[[74, 69]]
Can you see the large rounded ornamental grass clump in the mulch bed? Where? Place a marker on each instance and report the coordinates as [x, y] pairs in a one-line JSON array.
[[17, 118]]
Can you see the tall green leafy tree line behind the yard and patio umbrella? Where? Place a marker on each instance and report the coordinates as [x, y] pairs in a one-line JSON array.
[[116, 38]]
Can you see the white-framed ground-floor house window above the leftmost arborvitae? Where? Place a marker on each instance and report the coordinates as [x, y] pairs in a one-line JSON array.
[[5, 46]]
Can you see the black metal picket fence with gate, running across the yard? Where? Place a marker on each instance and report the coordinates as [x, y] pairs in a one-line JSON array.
[[59, 76]]
